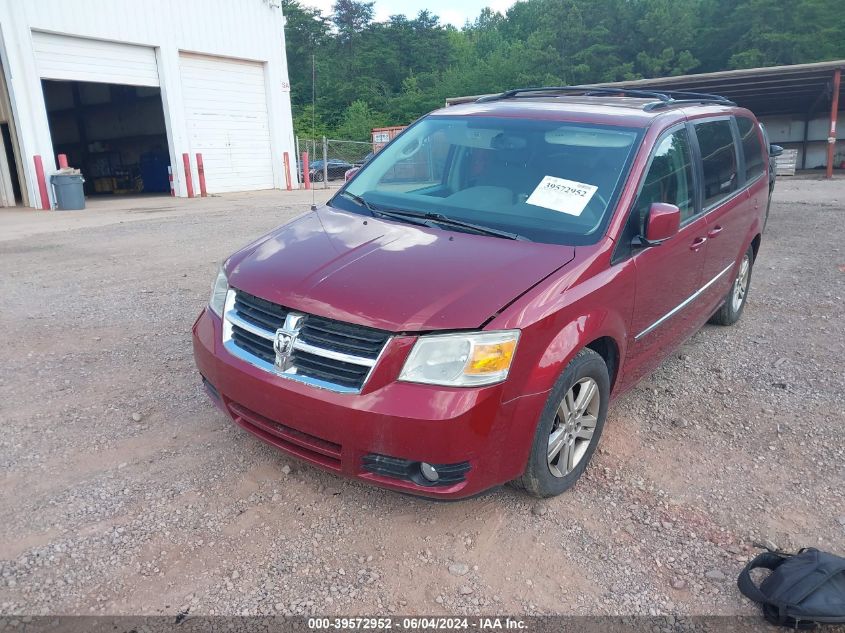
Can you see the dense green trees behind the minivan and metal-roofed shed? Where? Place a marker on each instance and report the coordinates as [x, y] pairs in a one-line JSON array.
[[370, 73]]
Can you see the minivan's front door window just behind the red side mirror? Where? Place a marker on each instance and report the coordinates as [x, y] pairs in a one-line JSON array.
[[669, 178]]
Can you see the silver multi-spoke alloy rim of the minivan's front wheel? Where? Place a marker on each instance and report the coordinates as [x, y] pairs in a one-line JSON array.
[[574, 427]]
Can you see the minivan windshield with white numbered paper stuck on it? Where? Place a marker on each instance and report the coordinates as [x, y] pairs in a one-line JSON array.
[[547, 181]]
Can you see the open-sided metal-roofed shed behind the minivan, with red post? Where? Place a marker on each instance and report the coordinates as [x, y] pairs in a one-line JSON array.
[[803, 96]]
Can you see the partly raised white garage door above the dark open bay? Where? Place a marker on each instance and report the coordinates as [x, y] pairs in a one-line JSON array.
[[81, 59]]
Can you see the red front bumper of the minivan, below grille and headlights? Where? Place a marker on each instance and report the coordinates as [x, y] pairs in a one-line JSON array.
[[337, 431]]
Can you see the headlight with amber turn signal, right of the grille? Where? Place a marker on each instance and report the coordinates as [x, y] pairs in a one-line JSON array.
[[461, 360]]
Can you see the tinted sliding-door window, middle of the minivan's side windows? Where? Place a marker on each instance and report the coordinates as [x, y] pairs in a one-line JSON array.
[[718, 157]]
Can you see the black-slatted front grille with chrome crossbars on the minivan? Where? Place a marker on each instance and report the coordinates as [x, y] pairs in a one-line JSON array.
[[326, 353]]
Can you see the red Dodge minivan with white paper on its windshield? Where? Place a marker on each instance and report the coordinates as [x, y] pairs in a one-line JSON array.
[[461, 313]]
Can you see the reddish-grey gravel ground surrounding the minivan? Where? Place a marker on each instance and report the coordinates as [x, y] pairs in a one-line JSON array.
[[126, 492]]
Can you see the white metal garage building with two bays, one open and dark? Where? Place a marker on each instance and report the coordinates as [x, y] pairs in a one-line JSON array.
[[126, 89]]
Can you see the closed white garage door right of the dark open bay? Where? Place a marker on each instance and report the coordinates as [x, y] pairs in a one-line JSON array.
[[226, 113]]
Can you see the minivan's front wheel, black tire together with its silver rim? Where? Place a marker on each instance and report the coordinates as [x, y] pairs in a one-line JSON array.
[[545, 477]]
